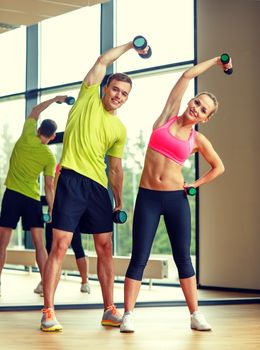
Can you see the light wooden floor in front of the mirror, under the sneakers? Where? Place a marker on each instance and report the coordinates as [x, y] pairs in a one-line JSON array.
[[235, 327]]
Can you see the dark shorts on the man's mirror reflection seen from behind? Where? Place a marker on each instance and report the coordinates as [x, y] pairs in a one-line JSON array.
[[16, 205]]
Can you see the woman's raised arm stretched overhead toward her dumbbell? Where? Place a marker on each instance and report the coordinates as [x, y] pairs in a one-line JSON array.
[[173, 103]]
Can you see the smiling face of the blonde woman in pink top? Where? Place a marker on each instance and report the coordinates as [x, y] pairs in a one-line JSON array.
[[200, 108]]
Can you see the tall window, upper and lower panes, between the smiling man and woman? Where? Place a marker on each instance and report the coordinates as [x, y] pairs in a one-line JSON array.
[[169, 28]]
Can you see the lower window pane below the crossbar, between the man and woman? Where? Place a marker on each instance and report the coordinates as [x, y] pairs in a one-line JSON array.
[[138, 122]]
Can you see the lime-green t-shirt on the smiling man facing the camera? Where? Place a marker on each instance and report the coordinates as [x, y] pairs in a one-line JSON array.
[[91, 133]]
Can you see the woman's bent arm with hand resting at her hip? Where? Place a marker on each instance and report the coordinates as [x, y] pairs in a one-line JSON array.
[[205, 148]]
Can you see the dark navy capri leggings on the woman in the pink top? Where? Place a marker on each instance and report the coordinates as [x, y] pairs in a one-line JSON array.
[[149, 206]]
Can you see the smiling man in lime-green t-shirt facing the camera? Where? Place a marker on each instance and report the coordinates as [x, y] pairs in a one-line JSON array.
[[93, 130]]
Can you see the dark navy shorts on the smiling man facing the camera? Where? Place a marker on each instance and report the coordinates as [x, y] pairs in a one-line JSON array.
[[80, 201]]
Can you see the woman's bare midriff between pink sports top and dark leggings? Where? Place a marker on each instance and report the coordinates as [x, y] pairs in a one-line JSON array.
[[161, 173]]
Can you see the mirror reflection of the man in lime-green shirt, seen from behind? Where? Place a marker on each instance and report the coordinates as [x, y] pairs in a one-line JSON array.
[[30, 157]]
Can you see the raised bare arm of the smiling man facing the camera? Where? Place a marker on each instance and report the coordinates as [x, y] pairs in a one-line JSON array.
[[98, 71]]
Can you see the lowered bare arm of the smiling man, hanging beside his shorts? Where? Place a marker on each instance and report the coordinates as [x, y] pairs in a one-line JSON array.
[[115, 176]]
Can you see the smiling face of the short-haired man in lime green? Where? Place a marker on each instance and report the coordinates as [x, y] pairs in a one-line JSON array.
[[115, 95]]
